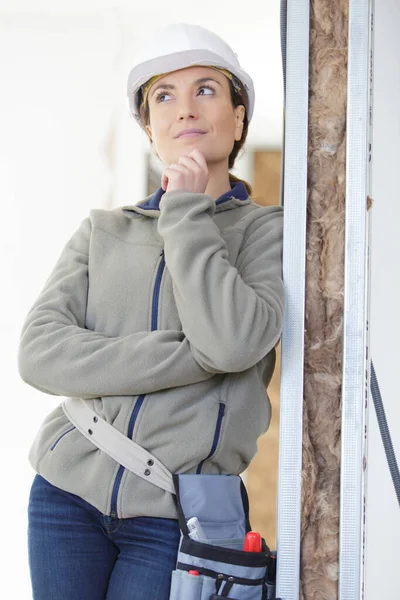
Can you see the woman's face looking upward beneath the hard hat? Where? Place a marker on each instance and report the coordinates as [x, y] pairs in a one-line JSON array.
[[179, 101]]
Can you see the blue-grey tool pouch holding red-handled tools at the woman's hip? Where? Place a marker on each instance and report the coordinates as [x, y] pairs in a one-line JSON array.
[[220, 504]]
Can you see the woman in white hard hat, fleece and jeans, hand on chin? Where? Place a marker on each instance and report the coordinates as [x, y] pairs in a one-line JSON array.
[[163, 317]]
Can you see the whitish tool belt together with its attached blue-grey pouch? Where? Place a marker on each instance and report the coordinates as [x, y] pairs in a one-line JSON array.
[[213, 513]]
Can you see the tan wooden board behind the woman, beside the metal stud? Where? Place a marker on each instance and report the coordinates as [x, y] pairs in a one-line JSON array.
[[262, 474]]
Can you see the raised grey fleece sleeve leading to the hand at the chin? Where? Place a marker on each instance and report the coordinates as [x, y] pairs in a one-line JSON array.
[[232, 315]]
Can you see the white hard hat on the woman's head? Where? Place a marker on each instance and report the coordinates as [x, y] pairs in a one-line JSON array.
[[178, 46]]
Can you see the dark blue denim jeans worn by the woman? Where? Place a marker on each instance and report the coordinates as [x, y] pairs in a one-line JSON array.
[[78, 553]]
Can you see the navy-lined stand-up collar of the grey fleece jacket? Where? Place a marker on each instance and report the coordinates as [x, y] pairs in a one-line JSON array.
[[150, 206]]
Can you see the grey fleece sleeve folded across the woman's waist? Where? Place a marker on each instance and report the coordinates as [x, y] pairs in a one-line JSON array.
[[59, 356]]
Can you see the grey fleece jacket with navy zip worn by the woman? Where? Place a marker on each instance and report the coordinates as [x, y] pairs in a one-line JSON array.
[[163, 316]]
